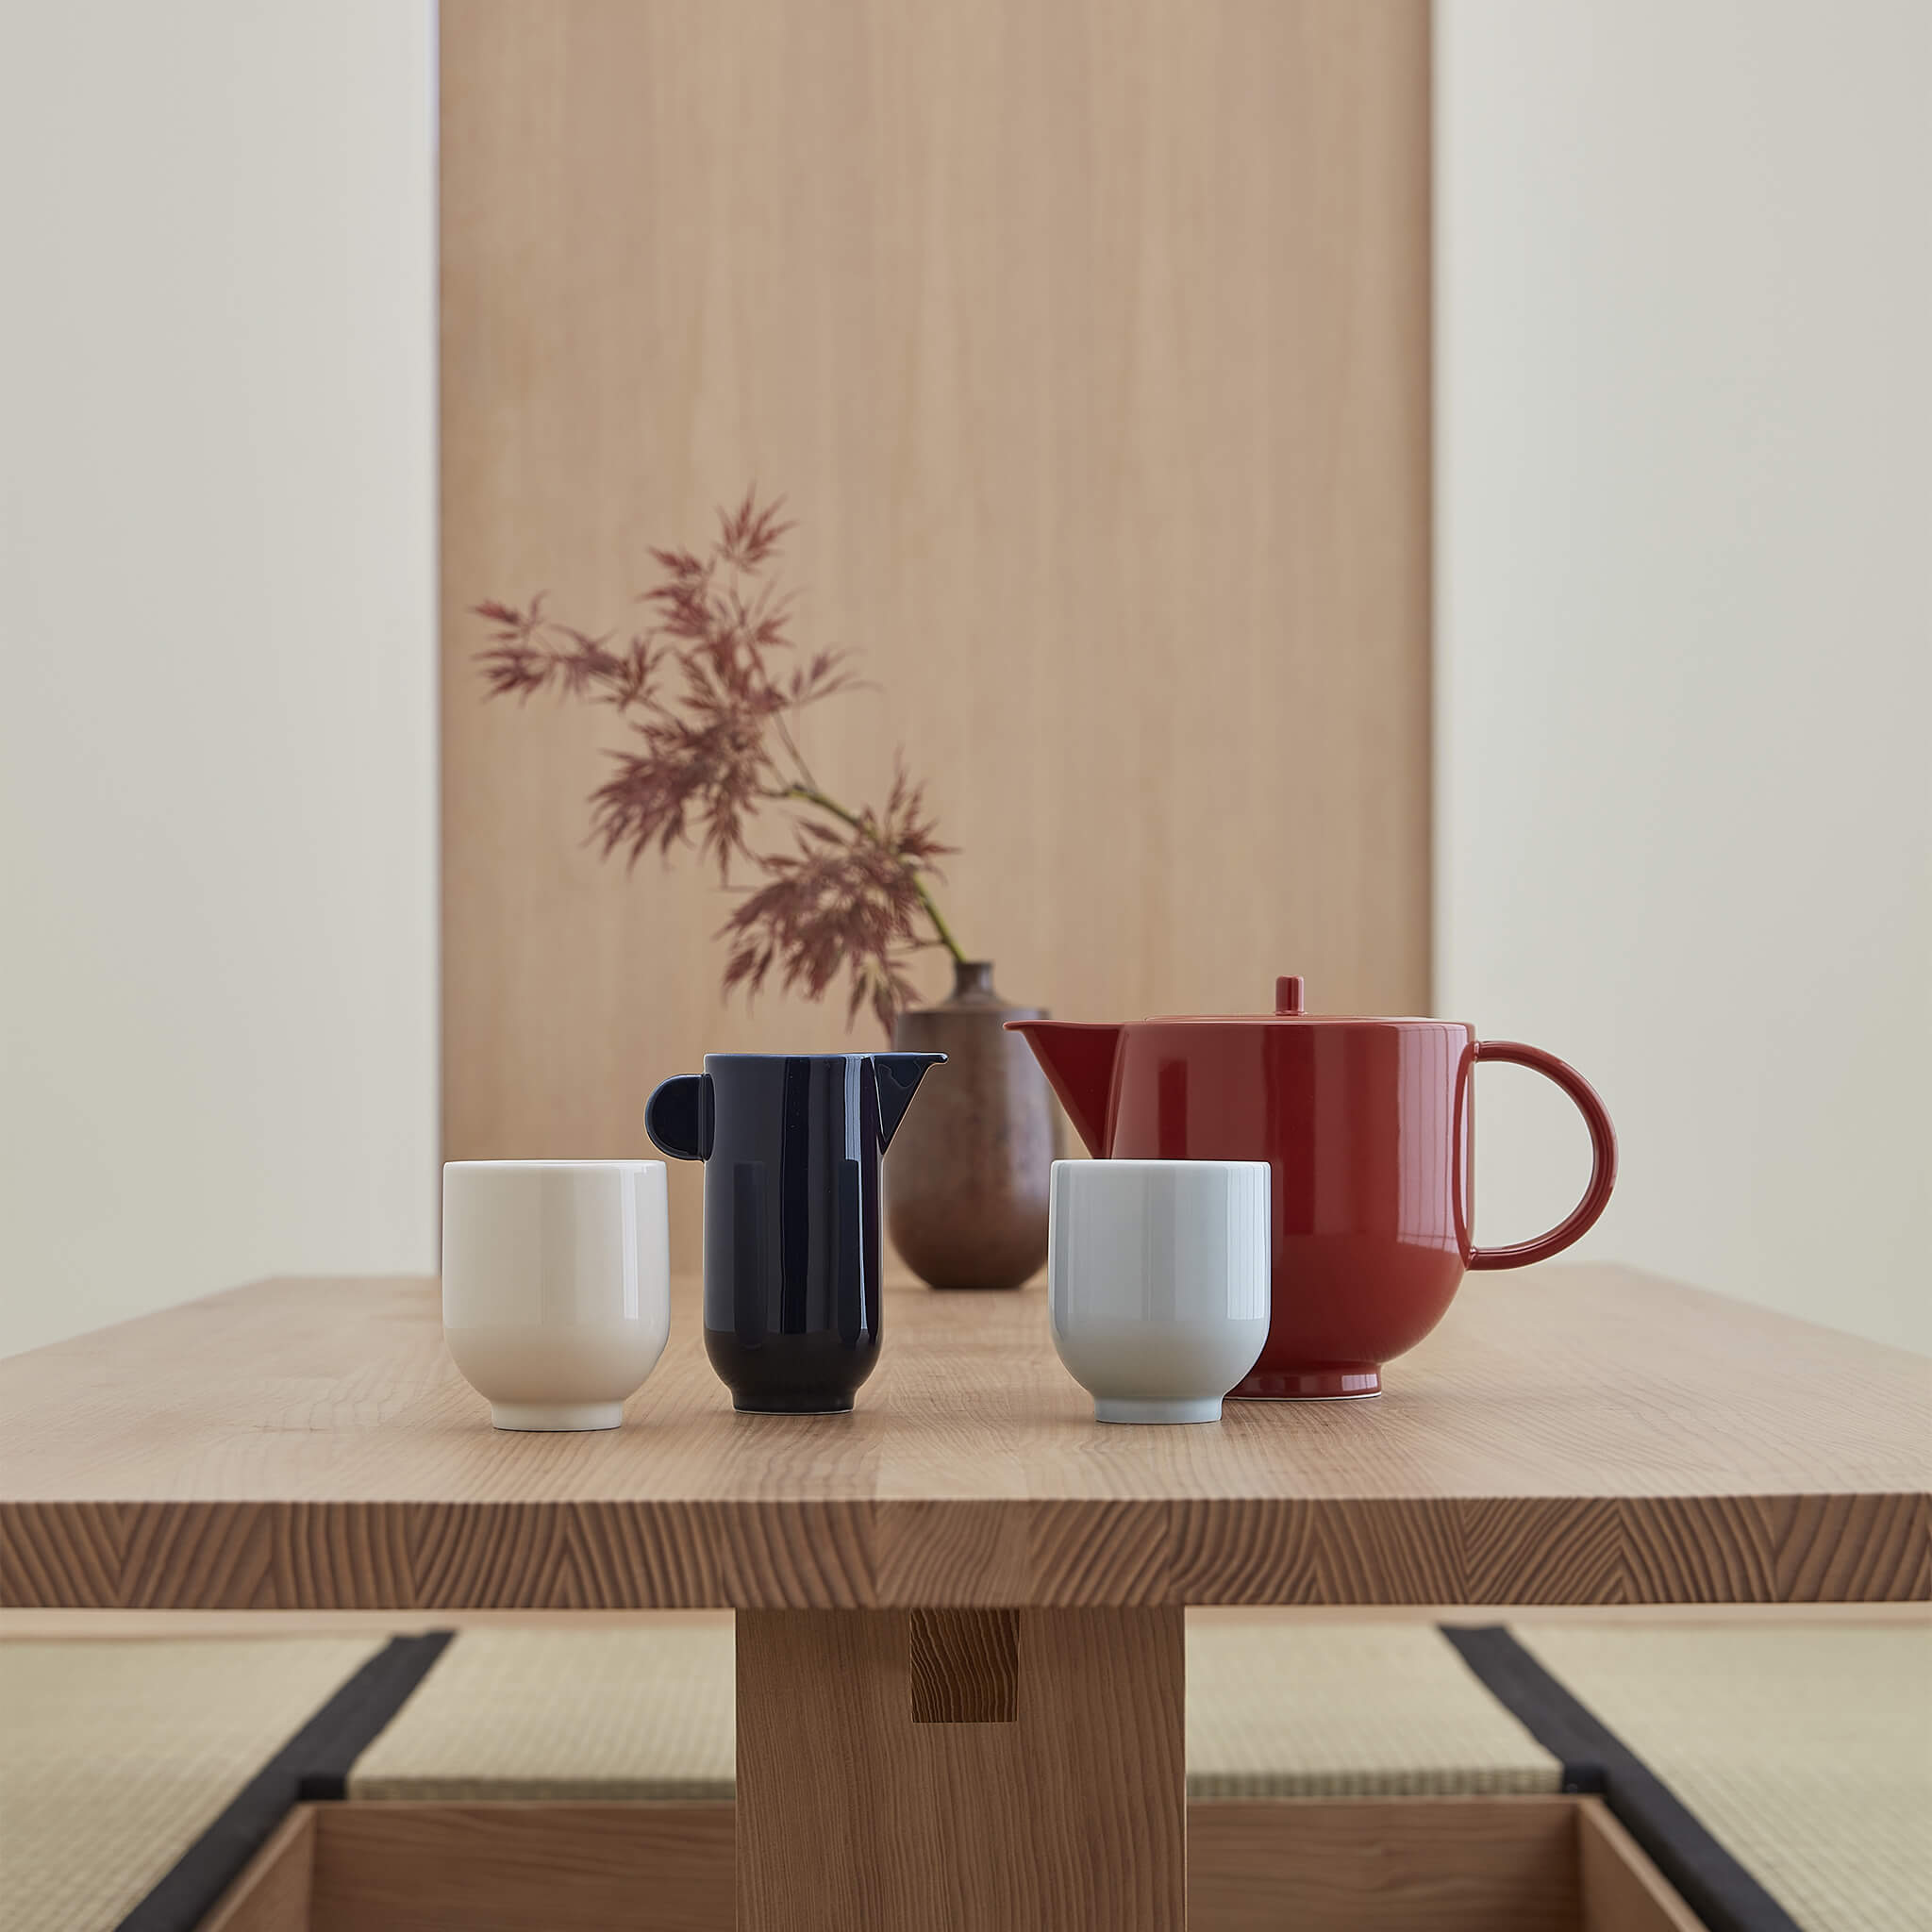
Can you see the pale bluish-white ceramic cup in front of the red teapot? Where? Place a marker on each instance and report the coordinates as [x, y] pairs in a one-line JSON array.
[[1158, 1282]]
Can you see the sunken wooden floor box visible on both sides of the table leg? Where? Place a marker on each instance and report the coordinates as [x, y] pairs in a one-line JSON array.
[[1255, 1865]]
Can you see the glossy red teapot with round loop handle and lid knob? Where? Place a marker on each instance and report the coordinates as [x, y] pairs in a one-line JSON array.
[[1371, 1131]]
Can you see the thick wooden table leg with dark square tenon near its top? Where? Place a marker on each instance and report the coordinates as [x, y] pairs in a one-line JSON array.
[[984, 1771]]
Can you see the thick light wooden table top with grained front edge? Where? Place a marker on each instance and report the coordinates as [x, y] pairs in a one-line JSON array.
[[1568, 1436]]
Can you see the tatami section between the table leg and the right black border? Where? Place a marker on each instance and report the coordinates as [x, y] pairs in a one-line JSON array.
[[1348, 1711]]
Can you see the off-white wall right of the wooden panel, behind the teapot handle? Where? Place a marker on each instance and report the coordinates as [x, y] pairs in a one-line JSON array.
[[1686, 625]]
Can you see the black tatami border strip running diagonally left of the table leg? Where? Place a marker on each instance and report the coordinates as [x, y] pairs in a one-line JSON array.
[[314, 1765]]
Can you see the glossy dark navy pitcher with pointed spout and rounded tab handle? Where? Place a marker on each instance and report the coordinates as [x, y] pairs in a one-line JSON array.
[[791, 1147]]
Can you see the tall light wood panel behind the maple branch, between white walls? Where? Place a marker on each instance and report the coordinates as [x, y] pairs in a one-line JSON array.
[[1091, 349]]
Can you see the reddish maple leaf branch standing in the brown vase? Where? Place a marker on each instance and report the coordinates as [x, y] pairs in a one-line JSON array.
[[710, 706]]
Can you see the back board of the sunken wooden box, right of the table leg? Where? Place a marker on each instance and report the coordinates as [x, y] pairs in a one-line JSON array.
[[1402, 1865]]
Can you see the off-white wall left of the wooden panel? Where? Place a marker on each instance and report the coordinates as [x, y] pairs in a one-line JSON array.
[[217, 652]]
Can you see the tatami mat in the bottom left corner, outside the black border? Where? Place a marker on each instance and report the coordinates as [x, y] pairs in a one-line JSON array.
[[121, 1755]]
